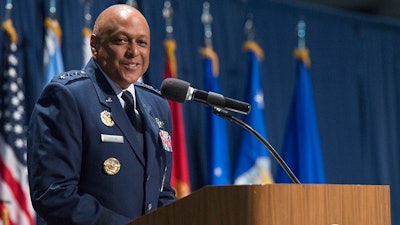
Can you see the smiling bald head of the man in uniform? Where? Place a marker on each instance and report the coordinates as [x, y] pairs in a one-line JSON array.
[[120, 44]]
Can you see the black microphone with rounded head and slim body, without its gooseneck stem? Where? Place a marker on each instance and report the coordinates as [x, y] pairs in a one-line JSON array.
[[181, 91]]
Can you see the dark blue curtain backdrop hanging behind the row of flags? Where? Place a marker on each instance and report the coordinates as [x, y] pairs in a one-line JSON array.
[[355, 75]]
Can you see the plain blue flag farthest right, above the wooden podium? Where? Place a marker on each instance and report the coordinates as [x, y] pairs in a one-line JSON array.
[[301, 148]]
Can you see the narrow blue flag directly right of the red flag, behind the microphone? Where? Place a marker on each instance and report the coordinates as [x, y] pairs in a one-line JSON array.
[[218, 140]]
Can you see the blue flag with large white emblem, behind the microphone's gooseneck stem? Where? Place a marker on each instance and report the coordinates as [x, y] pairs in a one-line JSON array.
[[253, 164]]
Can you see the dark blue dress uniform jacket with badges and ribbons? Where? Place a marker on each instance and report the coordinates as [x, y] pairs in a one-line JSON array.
[[77, 126]]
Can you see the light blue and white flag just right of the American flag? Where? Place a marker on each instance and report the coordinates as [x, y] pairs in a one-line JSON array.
[[52, 57]]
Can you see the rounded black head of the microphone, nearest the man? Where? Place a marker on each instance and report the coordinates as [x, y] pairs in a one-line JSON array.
[[174, 89]]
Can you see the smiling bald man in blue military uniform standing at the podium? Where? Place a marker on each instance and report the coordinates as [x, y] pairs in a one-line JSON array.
[[99, 149]]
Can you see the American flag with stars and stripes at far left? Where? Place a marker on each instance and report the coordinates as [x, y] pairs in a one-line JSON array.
[[14, 189]]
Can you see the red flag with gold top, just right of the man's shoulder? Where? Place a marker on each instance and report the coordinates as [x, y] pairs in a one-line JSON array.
[[180, 180]]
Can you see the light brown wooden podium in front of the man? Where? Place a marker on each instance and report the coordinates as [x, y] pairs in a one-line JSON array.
[[277, 204]]
